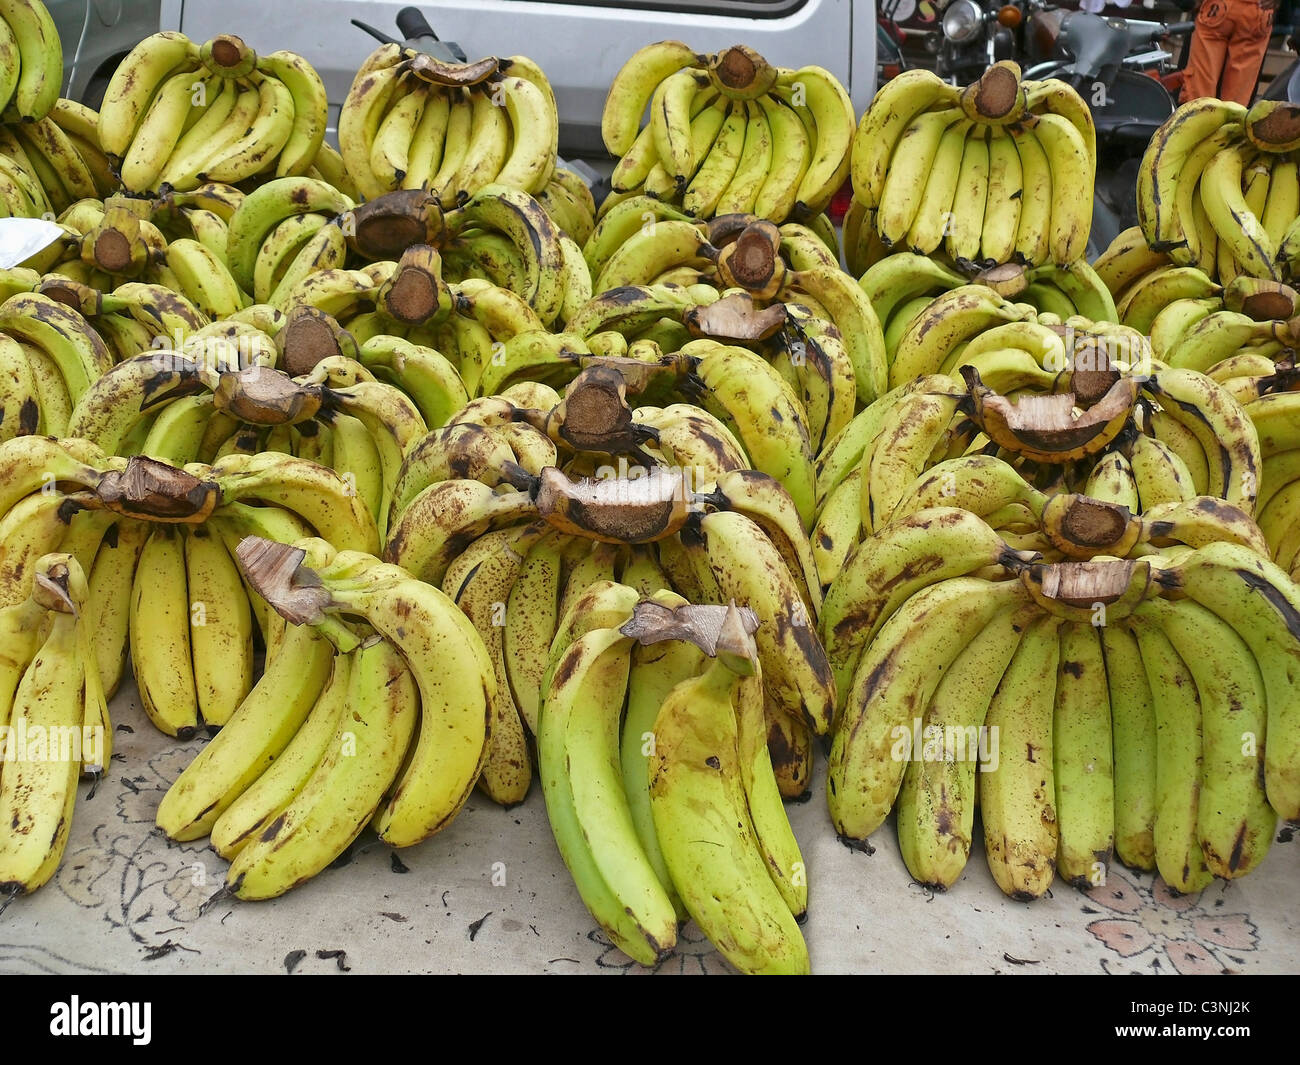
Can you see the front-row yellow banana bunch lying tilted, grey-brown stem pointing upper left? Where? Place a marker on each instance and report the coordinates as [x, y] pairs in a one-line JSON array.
[[292, 780]]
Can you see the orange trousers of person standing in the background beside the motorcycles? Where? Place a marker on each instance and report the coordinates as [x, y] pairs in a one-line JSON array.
[[1228, 50]]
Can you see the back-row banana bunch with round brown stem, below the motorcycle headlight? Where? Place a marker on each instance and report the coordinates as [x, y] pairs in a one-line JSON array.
[[999, 172]]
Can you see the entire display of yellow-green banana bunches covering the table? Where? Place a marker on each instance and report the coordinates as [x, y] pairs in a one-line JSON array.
[[675, 490]]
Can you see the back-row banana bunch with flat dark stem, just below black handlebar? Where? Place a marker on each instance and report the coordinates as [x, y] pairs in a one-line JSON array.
[[413, 122]]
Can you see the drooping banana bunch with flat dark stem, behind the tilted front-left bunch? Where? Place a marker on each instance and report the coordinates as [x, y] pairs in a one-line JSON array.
[[155, 543]]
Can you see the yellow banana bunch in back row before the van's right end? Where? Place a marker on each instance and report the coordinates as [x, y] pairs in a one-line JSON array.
[[729, 133]]
